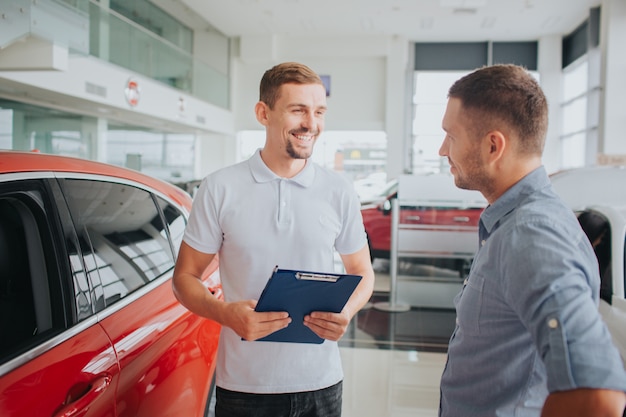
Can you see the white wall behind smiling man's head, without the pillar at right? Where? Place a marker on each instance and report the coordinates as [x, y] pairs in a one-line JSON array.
[[357, 67]]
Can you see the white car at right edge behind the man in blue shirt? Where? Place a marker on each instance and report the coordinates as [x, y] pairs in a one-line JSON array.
[[598, 196]]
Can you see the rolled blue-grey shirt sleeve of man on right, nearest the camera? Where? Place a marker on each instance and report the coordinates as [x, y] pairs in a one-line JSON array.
[[554, 287]]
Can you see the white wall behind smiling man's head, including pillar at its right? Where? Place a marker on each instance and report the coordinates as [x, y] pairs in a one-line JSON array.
[[367, 80]]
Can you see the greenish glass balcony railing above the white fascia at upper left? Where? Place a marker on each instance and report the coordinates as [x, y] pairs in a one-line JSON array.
[[163, 50]]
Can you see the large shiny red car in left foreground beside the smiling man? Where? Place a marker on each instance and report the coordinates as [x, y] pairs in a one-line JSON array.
[[89, 325]]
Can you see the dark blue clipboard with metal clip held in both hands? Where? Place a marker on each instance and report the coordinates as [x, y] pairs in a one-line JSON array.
[[300, 293]]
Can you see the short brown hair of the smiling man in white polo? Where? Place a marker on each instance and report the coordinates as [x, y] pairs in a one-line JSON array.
[[285, 73]]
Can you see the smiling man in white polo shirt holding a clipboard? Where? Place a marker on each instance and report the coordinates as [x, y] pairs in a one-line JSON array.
[[277, 208]]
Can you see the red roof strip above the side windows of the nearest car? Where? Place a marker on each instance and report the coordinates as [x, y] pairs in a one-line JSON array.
[[21, 162]]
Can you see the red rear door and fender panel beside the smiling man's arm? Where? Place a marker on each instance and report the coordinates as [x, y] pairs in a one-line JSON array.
[[166, 357]]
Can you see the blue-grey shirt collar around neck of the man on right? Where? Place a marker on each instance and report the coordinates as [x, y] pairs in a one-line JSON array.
[[535, 180]]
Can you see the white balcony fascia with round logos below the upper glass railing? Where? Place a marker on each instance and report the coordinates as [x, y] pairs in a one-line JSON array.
[[66, 88]]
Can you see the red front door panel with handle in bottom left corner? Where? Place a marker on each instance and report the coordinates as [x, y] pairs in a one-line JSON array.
[[75, 378]]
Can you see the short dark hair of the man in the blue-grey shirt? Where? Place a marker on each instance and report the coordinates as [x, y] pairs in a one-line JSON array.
[[506, 94]]
